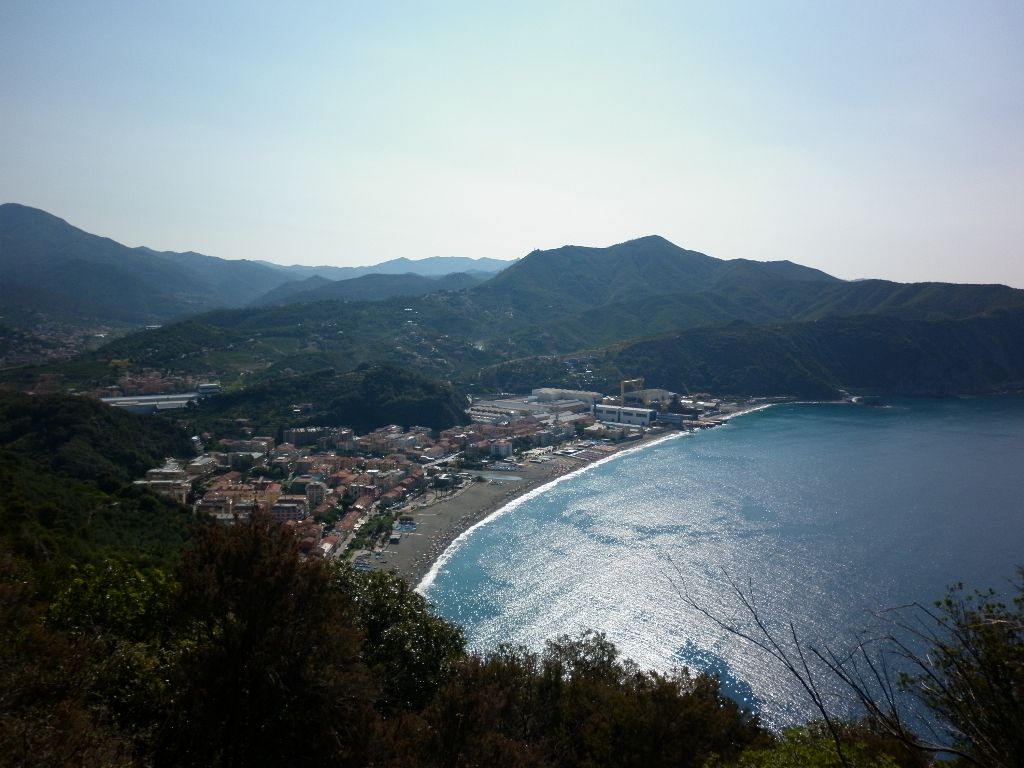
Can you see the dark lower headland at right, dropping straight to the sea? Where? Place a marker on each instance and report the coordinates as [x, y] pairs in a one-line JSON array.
[[875, 354]]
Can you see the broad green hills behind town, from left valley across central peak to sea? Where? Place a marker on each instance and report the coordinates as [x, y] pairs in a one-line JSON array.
[[599, 303]]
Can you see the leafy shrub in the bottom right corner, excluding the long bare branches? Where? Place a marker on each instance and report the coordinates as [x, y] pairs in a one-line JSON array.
[[963, 659]]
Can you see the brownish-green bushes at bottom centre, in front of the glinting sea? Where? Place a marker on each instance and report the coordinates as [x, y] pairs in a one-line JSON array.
[[576, 705]]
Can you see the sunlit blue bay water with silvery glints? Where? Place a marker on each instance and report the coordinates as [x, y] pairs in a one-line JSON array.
[[824, 515]]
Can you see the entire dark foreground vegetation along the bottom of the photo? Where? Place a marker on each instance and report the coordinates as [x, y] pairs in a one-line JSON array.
[[251, 657]]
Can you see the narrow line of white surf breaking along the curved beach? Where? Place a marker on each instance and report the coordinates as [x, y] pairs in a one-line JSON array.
[[466, 526]]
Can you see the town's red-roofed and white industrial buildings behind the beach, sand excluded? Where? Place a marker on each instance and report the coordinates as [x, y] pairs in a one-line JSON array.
[[332, 475]]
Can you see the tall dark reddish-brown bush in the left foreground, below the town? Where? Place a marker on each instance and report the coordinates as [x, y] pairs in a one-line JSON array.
[[268, 670]]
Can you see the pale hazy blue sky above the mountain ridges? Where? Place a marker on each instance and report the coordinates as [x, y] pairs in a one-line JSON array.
[[865, 139]]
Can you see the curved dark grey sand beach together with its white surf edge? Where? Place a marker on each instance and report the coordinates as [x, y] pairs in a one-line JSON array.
[[420, 554]]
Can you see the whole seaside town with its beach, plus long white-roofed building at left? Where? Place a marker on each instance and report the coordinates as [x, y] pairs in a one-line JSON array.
[[396, 498]]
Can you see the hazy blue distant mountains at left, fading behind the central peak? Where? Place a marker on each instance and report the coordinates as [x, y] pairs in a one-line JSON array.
[[51, 269]]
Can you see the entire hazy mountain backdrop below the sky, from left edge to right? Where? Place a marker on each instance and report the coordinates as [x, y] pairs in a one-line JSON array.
[[574, 316]]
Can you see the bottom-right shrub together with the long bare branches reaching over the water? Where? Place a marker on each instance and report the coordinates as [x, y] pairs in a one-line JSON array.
[[961, 661]]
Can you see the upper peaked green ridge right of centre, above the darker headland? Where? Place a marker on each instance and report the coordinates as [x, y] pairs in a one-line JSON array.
[[673, 288]]
